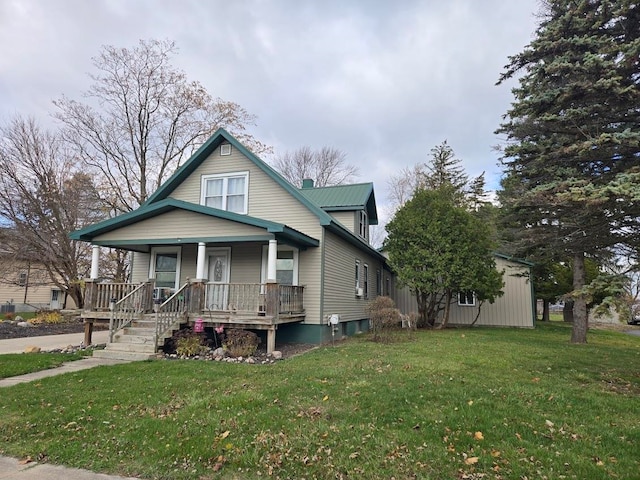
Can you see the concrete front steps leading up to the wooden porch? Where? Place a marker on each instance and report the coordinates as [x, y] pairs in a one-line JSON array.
[[134, 343]]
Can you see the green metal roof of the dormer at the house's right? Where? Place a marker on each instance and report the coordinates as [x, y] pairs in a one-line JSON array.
[[335, 198]]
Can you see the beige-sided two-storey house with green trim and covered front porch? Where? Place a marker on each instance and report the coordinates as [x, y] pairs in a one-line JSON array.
[[228, 241]]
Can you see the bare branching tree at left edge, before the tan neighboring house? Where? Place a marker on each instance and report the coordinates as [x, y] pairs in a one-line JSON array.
[[44, 195]]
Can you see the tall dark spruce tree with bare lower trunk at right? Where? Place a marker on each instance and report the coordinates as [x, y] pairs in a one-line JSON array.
[[572, 163]]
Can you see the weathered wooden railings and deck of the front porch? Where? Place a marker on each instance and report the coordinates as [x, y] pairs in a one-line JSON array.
[[254, 306]]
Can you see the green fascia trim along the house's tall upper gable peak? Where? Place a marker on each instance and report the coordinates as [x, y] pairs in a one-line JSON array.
[[205, 150]]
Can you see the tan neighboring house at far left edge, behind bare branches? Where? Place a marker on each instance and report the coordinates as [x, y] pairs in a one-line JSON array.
[[26, 287]]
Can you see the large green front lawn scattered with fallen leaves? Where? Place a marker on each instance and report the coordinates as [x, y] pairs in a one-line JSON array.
[[478, 403]]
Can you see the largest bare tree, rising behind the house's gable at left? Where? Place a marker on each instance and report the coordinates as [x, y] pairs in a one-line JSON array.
[[143, 120]]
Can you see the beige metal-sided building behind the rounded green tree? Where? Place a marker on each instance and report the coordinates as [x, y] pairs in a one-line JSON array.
[[516, 308]]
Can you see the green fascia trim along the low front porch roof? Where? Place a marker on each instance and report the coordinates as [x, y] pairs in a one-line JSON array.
[[151, 210]]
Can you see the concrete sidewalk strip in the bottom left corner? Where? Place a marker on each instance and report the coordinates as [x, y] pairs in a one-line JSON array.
[[12, 469]]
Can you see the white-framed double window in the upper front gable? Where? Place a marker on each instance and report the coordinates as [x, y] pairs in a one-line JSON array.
[[227, 191]]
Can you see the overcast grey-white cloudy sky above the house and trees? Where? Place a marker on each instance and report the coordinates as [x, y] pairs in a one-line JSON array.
[[383, 81]]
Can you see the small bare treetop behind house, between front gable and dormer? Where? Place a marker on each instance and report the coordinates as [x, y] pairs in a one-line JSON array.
[[327, 166]]
